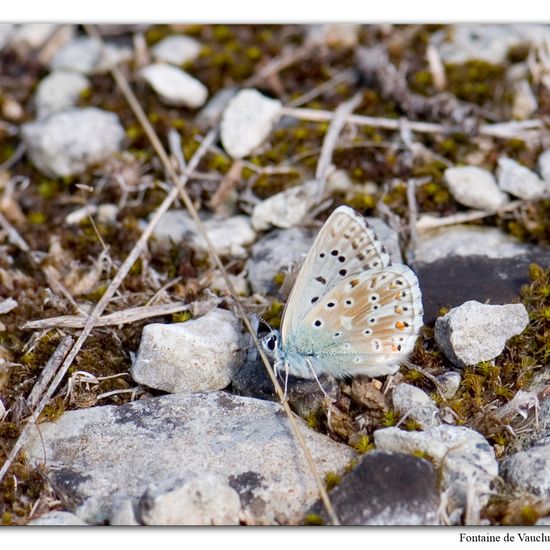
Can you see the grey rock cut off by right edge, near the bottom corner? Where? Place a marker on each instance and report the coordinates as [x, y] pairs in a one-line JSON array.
[[529, 470]]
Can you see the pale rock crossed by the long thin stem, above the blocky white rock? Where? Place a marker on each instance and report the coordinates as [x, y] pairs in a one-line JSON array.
[[229, 236]]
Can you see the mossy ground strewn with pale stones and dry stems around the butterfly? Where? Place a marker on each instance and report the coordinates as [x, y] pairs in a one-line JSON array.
[[116, 330]]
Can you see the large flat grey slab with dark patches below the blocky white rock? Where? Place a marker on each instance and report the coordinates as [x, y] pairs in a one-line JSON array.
[[96, 453]]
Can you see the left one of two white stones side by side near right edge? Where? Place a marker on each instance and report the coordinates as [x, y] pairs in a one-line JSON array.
[[475, 187]]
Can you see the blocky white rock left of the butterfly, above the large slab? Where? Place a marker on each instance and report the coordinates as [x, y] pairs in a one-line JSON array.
[[201, 354]]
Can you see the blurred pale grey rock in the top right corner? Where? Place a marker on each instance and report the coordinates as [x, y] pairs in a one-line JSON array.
[[491, 43]]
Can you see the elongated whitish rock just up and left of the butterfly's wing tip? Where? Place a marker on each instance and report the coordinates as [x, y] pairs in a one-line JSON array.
[[287, 208]]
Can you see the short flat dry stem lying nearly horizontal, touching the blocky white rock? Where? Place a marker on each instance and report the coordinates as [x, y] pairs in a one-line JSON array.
[[130, 315]]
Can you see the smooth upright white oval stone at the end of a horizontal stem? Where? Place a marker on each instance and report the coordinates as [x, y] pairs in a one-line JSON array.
[[247, 121]]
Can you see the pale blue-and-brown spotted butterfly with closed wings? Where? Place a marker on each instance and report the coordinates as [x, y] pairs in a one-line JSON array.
[[350, 311]]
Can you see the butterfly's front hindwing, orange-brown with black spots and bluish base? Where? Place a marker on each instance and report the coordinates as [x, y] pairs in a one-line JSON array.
[[366, 324]]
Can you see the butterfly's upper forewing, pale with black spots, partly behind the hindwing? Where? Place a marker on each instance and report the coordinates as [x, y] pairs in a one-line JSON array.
[[345, 246]]
